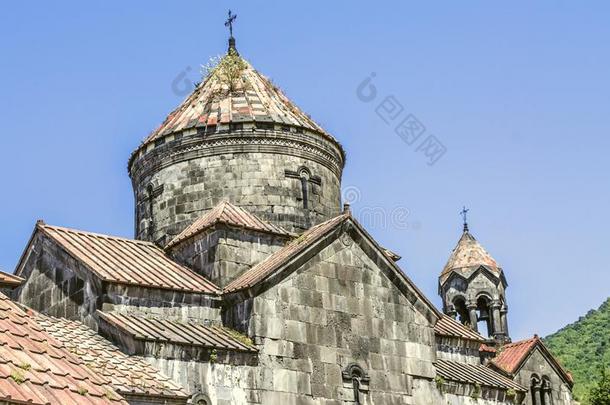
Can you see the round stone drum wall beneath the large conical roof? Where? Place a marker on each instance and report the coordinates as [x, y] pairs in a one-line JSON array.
[[183, 178]]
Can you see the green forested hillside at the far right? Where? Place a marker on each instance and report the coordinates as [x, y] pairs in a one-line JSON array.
[[584, 347]]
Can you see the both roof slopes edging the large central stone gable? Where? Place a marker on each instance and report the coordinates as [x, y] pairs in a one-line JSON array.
[[326, 231]]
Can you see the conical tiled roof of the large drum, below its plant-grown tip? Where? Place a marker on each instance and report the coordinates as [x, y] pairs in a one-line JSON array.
[[254, 99]]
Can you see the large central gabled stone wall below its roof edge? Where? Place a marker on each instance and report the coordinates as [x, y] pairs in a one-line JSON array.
[[336, 310]]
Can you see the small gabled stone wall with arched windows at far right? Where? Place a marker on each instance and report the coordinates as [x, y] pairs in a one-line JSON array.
[[538, 364]]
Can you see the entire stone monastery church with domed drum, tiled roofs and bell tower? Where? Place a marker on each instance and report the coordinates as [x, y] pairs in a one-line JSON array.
[[249, 283]]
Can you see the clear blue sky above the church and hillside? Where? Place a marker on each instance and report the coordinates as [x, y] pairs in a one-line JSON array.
[[518, 94]]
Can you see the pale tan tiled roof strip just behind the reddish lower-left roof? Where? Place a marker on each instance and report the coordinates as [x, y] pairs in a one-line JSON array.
[[127, 374]]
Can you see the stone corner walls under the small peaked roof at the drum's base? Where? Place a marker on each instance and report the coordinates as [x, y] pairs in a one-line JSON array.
[[223, 253]]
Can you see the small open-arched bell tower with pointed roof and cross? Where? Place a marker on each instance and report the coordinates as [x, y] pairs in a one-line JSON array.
[[473, 288]]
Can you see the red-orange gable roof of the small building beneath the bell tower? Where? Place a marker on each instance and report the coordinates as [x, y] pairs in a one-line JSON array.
[[512, 356]]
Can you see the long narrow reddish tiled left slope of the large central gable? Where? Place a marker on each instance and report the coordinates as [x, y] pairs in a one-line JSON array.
[[273, 262]]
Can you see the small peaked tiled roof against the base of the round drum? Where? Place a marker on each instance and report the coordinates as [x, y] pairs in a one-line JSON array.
[[229, 214]]
